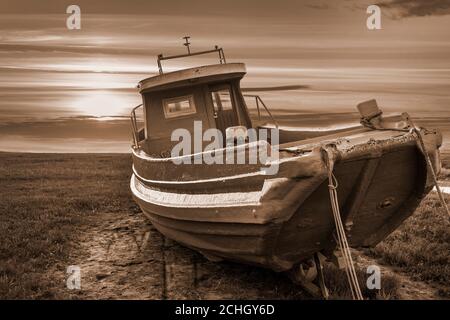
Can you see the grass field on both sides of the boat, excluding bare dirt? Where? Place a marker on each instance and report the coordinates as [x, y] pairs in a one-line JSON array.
[[46, 199]]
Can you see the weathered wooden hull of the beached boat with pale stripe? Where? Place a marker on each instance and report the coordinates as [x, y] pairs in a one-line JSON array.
[[281, 220]]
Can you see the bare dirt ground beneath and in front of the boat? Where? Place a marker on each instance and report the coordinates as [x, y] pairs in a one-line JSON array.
[[122, 256]]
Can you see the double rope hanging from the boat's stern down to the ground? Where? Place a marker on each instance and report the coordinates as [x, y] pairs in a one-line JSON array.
[[340, 232]]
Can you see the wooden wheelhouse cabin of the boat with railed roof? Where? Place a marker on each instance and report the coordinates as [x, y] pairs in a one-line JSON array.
[[210, 94]]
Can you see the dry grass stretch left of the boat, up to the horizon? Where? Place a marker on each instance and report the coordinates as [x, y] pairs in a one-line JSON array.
[[44, 200]]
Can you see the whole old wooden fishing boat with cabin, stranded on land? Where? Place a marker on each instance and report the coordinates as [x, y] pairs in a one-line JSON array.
[[372, 175]]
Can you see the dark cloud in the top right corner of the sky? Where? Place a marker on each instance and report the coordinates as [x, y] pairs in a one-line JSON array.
[[416, 8]]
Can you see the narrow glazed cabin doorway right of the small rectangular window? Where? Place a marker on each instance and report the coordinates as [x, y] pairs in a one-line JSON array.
[[224, 107]]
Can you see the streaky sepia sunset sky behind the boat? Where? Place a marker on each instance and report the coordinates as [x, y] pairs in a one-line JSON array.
[[67, 90]]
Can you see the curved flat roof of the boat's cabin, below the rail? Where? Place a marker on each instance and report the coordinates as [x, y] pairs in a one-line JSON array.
[[184, 77]]
